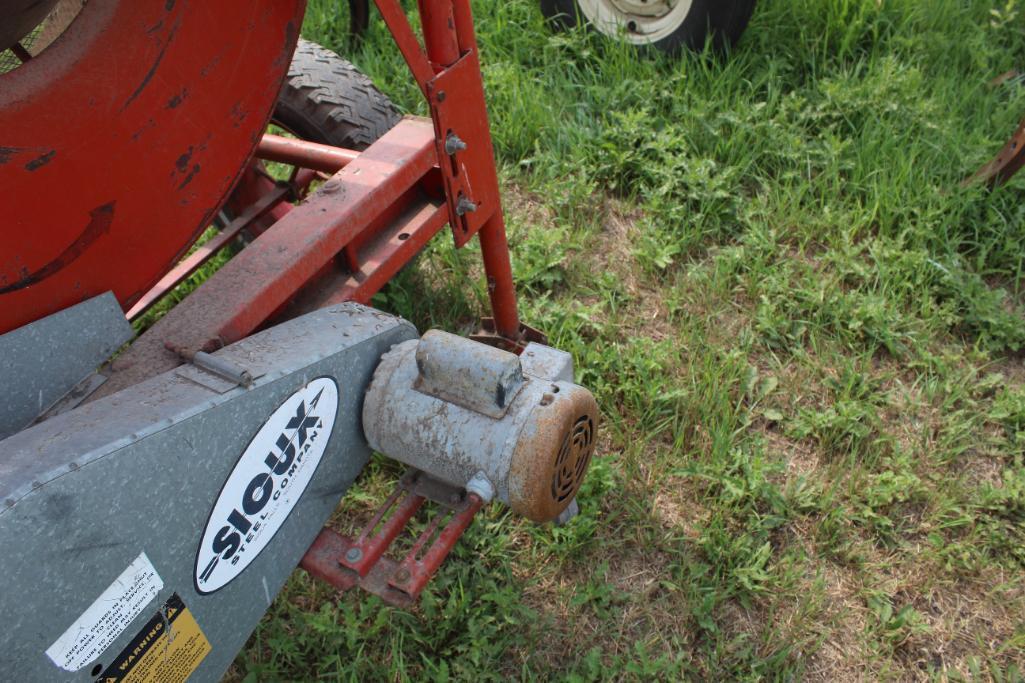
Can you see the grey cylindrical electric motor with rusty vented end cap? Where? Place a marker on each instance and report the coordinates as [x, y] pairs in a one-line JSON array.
[[477, 417]]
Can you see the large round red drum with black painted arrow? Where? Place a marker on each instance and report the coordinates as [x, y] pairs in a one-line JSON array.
[[122, 139]]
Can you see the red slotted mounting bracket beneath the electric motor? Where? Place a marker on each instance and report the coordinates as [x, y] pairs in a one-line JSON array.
[[346, 564]]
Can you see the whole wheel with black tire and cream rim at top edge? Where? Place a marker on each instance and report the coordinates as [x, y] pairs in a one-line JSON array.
[[688, 24]]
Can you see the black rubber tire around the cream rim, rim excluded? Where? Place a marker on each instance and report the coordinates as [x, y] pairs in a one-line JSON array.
[[721, 21]]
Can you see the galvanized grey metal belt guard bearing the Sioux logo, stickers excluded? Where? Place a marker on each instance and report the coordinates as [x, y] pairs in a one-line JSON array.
[[85, 494]]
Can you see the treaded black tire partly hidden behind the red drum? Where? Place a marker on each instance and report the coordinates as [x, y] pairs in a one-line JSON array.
[[327, 100]]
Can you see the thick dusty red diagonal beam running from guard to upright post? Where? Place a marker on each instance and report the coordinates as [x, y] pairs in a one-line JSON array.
[[269, 274]]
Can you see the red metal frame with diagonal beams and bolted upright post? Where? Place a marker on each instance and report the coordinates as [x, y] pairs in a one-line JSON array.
[[377, 212]]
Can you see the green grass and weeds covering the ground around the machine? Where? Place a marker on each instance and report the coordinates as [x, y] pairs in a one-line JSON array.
[[806, 341]]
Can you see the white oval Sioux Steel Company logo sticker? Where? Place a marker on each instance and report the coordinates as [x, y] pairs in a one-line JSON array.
[[266, 485]]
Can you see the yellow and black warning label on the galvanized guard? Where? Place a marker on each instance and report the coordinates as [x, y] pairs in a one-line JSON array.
[[168, 650]]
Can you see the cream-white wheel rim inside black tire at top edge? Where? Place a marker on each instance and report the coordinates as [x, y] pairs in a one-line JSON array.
[[640, 22]]
